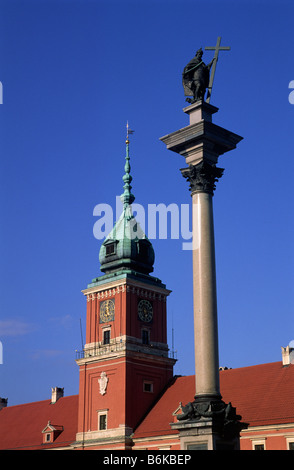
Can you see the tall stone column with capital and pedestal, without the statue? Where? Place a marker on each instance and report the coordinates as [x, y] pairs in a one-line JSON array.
[[207, 422]]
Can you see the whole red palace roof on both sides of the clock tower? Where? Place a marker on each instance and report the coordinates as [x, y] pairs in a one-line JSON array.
[[262, 395]]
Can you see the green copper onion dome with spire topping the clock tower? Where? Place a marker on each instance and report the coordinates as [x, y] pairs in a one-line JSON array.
[[126, 248]]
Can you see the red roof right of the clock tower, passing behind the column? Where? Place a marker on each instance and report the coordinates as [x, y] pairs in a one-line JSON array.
[[262, 394]]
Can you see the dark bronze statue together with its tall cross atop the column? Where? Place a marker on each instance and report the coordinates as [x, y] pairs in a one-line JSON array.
[[196, 77]]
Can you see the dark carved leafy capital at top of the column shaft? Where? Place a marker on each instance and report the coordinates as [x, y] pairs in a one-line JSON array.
[[202, 177]]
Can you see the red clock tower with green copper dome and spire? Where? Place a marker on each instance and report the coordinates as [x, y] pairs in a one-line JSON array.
[[125, 364]]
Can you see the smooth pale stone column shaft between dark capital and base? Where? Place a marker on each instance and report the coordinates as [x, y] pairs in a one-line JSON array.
[[205, 302]]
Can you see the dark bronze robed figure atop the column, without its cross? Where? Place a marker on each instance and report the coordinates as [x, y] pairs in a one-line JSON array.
[[196, 77]]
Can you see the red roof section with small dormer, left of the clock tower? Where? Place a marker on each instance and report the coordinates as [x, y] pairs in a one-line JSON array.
[[21, 426]]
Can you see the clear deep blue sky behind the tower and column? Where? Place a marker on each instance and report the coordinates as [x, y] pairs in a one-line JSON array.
[[73, 72]]
